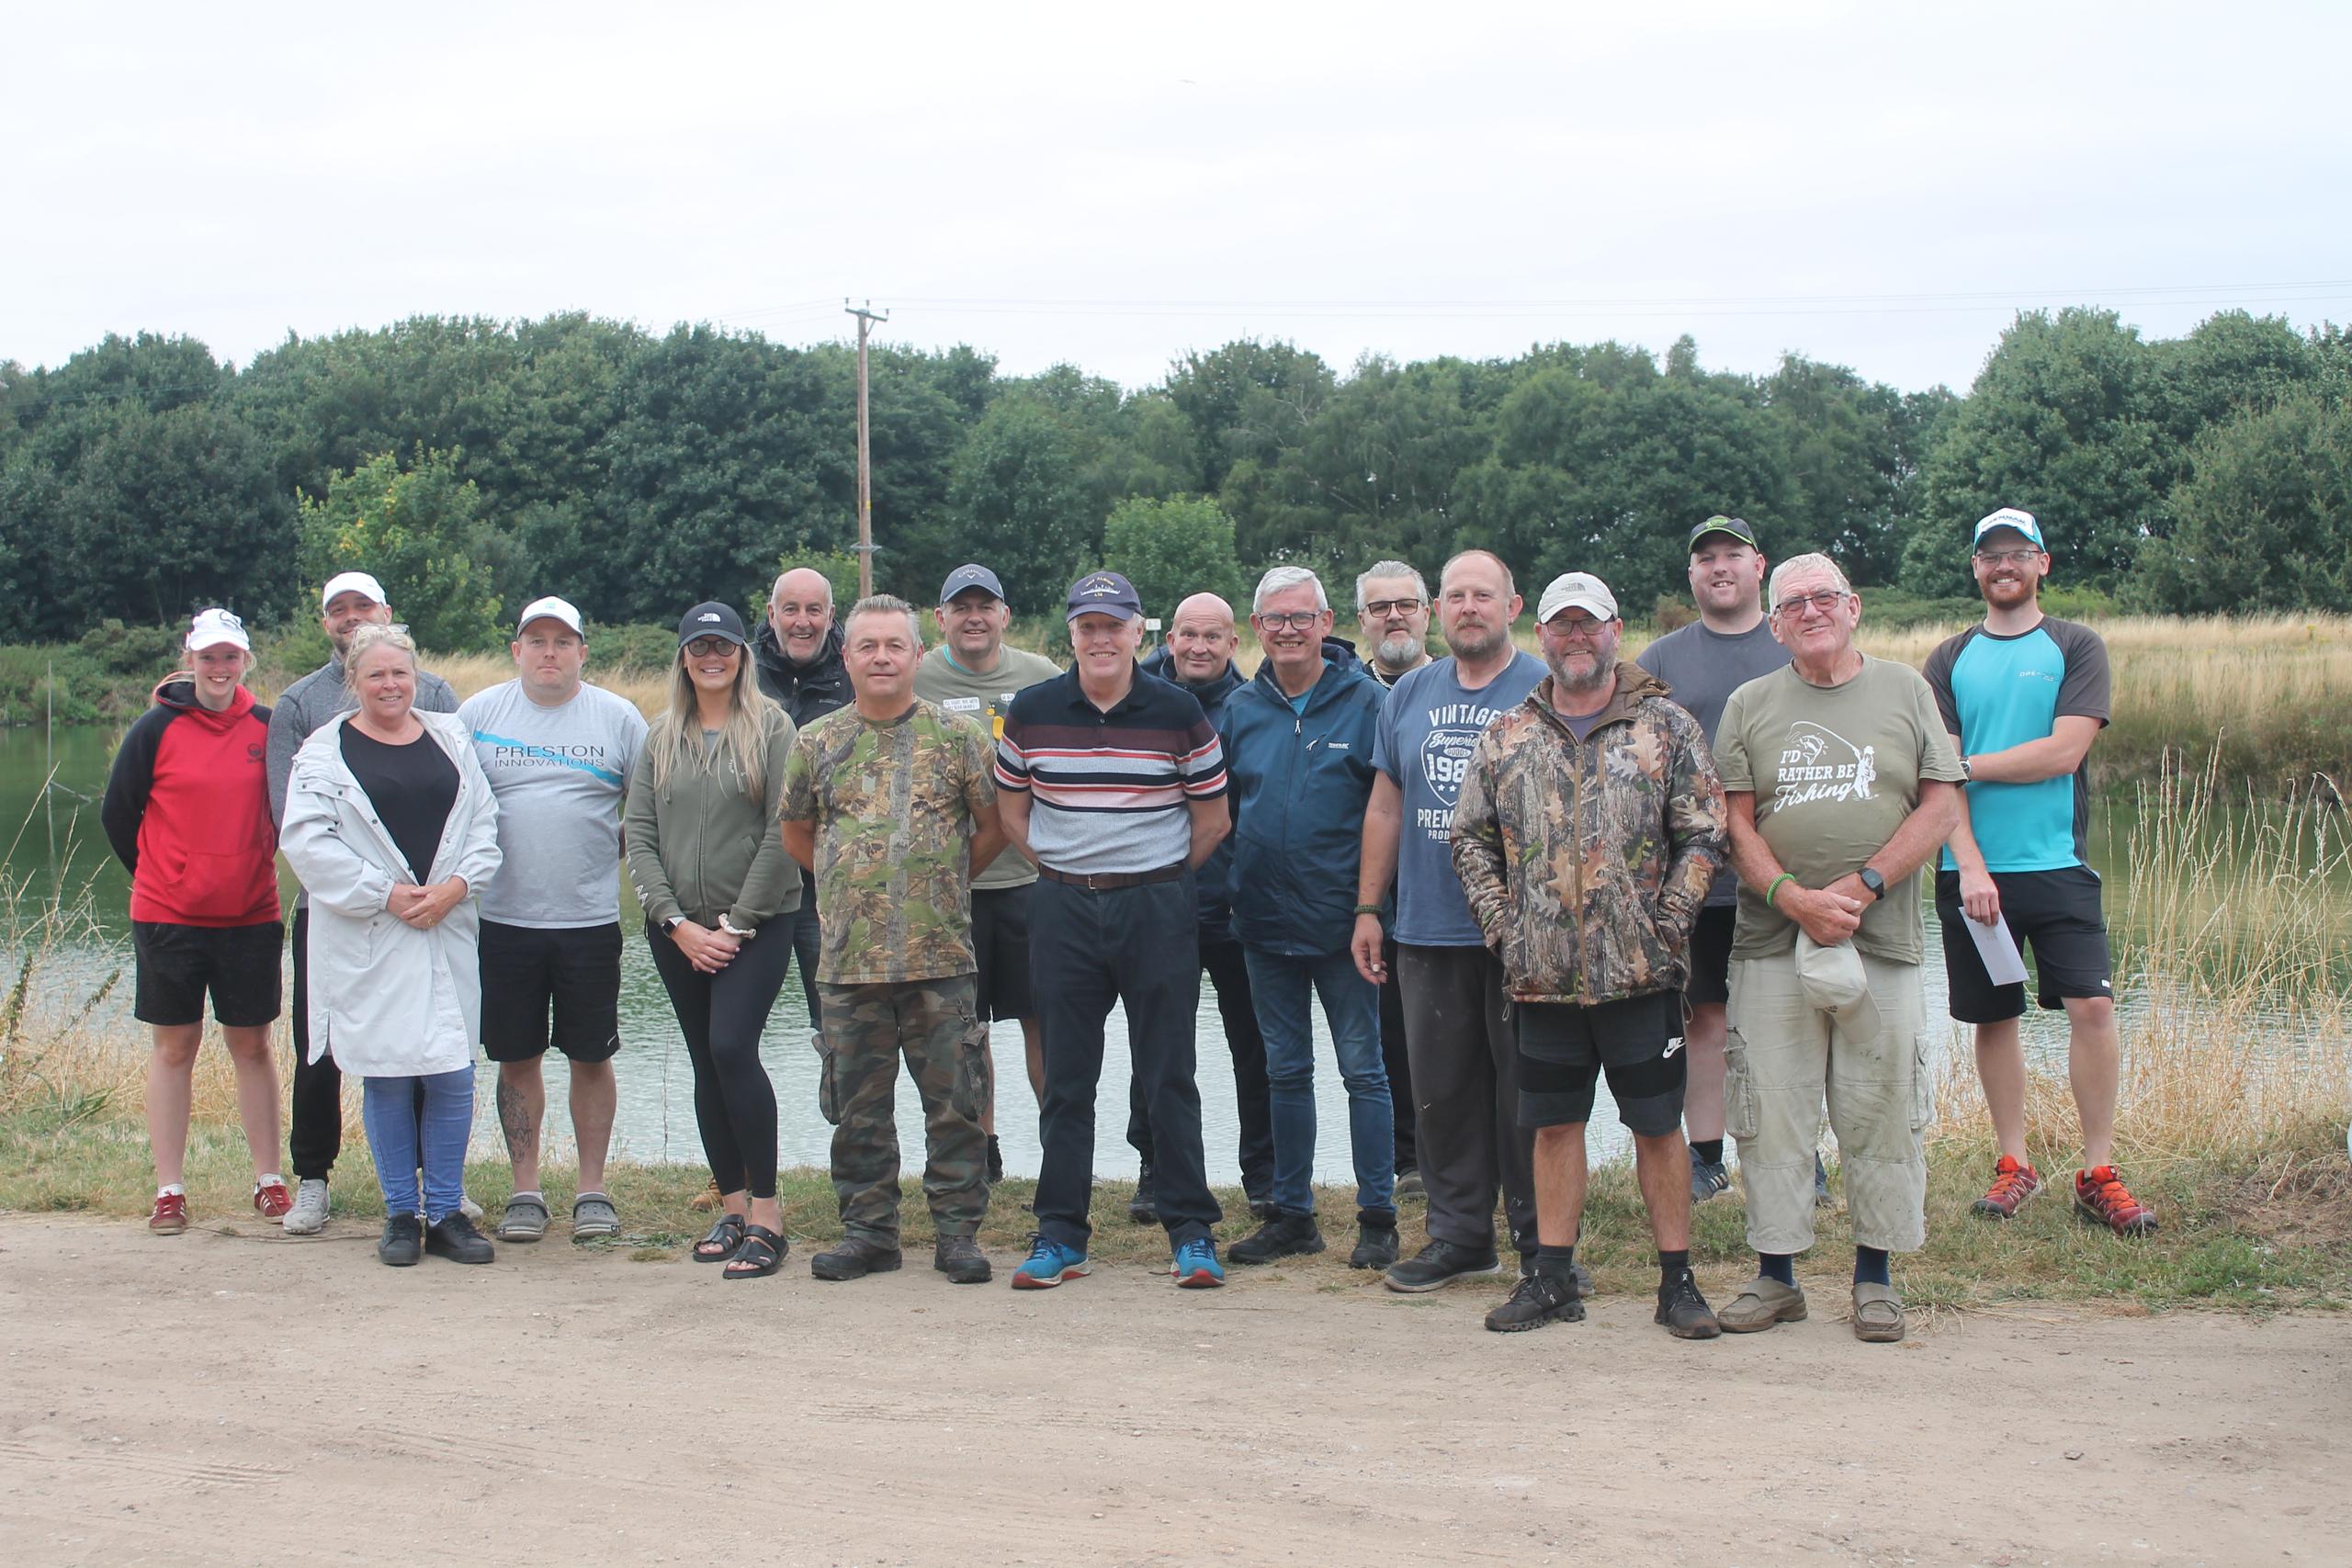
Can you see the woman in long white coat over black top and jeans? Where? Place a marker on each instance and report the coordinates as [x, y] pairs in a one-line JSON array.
[[394, 831]]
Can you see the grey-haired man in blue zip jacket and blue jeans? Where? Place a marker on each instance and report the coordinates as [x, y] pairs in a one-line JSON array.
[[1299, 763]]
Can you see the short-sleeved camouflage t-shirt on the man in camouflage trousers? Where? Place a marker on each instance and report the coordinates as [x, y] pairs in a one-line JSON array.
[[895, 808]]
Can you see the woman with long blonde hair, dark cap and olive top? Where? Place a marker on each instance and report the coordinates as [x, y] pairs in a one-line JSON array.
[[714, 880]]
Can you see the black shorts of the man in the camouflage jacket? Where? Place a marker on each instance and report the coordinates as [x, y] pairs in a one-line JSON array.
[[1565, 1050]]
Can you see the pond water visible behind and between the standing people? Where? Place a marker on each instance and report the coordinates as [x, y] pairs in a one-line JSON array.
[[55, 847]]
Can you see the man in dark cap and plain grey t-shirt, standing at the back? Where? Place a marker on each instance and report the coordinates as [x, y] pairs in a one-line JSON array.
[[1706, 662]]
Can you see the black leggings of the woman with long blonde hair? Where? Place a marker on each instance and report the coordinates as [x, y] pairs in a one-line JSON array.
[[723, 1017]]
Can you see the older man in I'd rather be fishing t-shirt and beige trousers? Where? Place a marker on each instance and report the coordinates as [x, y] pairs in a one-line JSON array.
[[1840, 784]]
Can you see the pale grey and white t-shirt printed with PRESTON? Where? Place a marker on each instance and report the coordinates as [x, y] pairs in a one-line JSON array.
[[561, 777]]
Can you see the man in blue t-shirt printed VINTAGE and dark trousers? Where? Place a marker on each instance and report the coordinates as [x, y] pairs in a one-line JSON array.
[[1457, 1026]]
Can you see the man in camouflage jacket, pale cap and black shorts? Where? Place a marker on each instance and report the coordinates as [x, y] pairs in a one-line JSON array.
[[1589, 829]]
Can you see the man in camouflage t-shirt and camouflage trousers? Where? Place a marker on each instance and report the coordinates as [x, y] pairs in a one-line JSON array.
[[893, 808]]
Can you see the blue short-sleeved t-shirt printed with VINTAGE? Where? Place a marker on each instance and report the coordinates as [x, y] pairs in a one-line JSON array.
[[1429, 730]]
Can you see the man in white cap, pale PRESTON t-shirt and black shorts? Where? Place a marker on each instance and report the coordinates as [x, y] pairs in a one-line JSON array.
[[559, 756]]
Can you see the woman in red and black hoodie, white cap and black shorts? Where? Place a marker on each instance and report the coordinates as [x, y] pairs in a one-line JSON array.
[[189, 815]]
